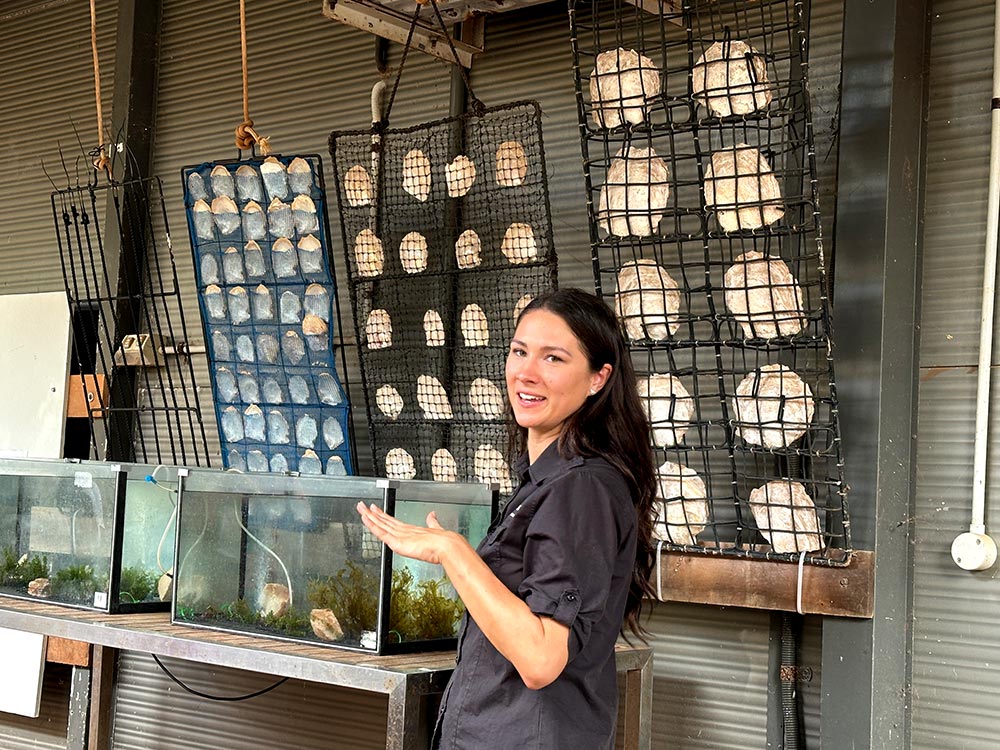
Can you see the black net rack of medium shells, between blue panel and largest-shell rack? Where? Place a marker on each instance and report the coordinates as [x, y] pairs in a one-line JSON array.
[[434, 313]]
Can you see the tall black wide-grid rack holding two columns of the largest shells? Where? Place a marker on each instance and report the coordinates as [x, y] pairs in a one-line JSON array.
[[698, 152]]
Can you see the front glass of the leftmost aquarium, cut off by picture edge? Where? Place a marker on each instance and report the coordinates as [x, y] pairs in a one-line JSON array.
[[60, 526]]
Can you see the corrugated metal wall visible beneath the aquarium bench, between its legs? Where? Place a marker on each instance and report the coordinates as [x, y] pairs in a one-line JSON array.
[[151, 711]]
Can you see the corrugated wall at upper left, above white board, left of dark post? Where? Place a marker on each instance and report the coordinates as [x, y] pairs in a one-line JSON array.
[[46, 110]]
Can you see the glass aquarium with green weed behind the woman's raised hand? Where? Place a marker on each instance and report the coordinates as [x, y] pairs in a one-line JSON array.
[[288, 557]]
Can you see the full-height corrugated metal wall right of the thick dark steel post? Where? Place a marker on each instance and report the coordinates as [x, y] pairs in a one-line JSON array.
[[956, 642]]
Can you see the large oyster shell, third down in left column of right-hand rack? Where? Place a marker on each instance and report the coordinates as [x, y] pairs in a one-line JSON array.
[[647, 300]]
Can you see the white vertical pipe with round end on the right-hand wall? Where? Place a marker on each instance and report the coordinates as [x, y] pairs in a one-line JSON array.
[[975, 550]]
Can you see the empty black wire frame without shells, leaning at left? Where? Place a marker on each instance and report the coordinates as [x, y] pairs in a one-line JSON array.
[[126, 296]]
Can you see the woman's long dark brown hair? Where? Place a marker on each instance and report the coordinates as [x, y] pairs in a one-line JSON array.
[[611, 424]]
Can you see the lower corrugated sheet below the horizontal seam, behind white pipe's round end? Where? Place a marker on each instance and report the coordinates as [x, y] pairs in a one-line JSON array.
[[956, 646]]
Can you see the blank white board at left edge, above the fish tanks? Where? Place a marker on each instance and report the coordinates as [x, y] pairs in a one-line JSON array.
[[34, 353]]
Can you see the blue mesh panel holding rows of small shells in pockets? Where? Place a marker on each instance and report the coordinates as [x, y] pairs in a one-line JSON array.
[[273, 347]]
